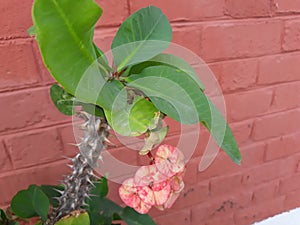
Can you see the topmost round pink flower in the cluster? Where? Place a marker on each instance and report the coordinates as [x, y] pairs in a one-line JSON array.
[[169, 160]]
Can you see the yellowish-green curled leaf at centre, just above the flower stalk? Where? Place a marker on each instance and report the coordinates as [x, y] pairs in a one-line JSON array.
[[134, 119]]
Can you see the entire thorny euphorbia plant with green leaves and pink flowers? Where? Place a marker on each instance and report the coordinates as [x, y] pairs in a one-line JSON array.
[[130, 95]]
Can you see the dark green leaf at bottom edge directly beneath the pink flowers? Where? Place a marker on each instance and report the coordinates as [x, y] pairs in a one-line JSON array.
[[131, 217]]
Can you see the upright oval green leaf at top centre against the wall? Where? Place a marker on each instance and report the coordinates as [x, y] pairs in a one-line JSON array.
[[143, 35]]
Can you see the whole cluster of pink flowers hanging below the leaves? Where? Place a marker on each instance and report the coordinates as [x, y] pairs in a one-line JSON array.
[[158, 184]]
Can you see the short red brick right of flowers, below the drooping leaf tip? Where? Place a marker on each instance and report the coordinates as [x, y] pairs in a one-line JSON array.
[[226, 184]]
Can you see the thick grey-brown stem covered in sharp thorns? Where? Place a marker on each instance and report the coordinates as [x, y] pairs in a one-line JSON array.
[[79, 183]]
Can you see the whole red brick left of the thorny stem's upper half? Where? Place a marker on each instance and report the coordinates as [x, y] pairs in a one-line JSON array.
[[35, 147]]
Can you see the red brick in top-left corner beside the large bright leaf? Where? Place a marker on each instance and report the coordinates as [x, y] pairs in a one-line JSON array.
[[15, 18]]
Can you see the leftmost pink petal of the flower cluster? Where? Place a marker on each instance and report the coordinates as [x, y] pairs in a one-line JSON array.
[[128, 193]]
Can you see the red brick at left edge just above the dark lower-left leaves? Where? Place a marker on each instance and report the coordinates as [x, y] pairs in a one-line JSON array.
[[18, 180]]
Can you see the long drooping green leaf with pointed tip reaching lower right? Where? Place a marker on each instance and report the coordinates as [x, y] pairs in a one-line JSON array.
[[176, 94]]
